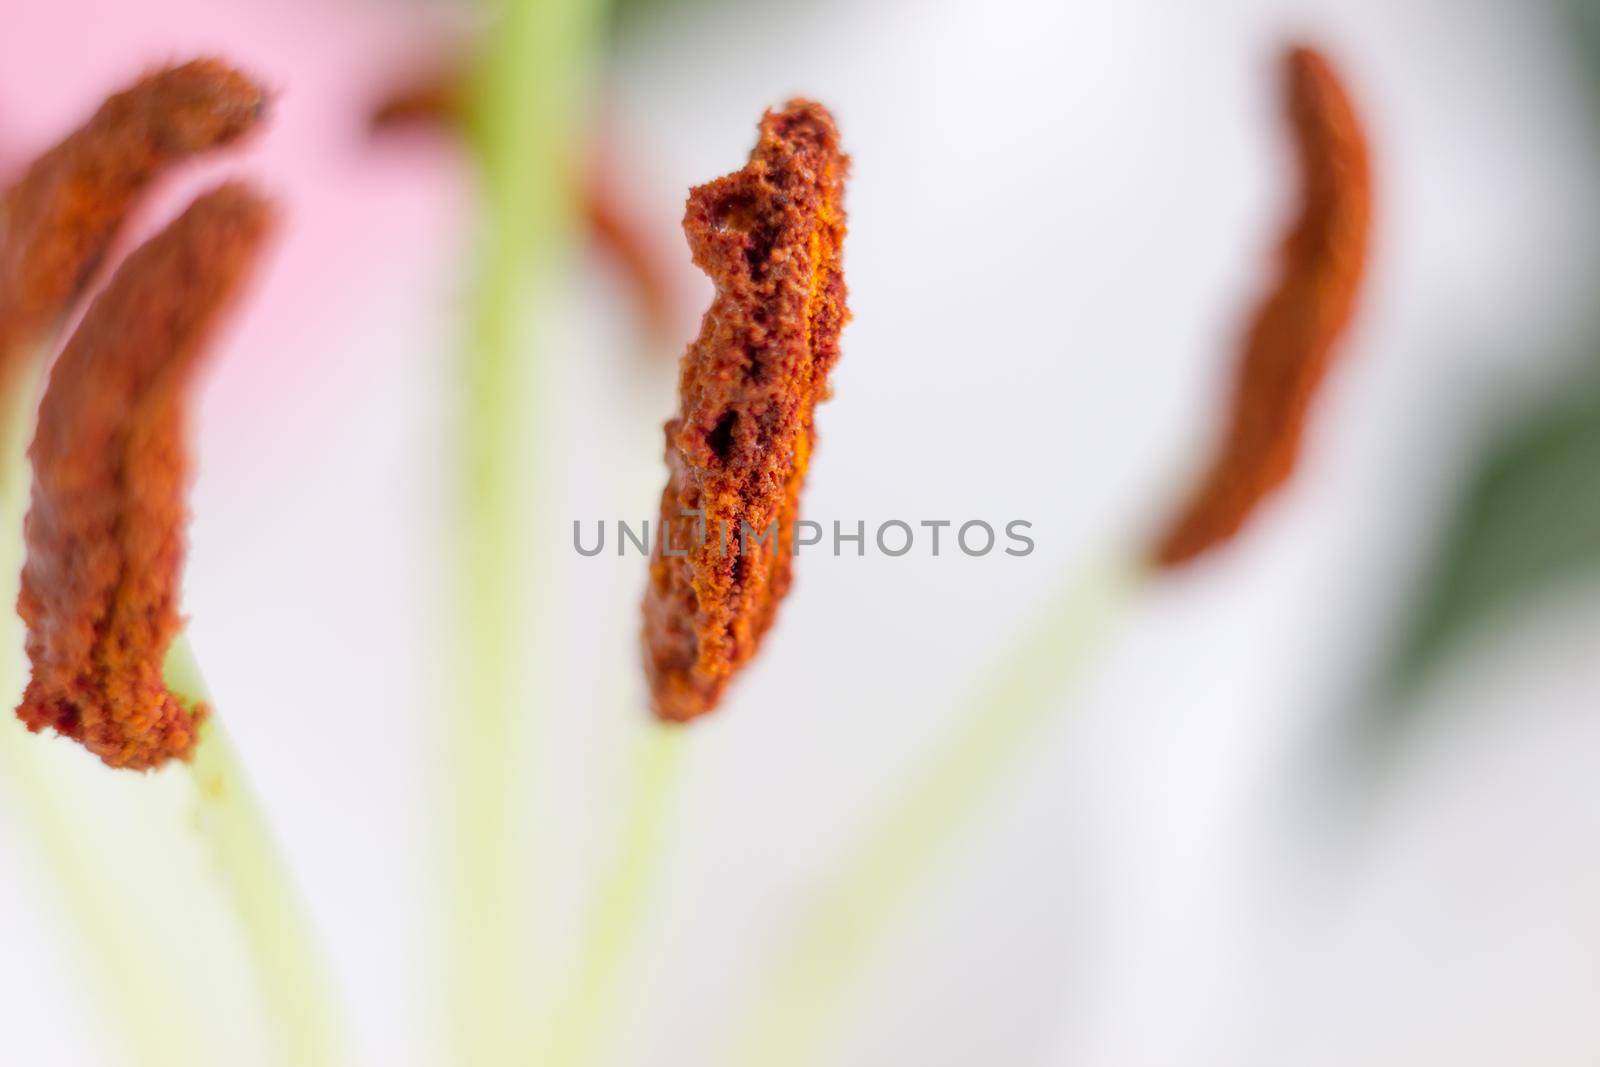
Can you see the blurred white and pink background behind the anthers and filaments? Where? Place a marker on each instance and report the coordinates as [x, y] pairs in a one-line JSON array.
[[1060, 217]]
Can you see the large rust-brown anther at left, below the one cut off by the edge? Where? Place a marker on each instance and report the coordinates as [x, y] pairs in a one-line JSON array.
[[106, 521]]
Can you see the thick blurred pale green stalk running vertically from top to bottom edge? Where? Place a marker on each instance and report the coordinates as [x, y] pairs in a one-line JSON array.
[[527, 119]]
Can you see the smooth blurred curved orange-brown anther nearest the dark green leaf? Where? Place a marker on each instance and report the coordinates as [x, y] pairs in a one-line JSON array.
[[1300, 326]]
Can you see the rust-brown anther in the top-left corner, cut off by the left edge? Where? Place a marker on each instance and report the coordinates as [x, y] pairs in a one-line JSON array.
[[60, 218]]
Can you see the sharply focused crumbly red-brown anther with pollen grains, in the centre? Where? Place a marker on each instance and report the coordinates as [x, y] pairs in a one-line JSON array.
[[770, 239]]
